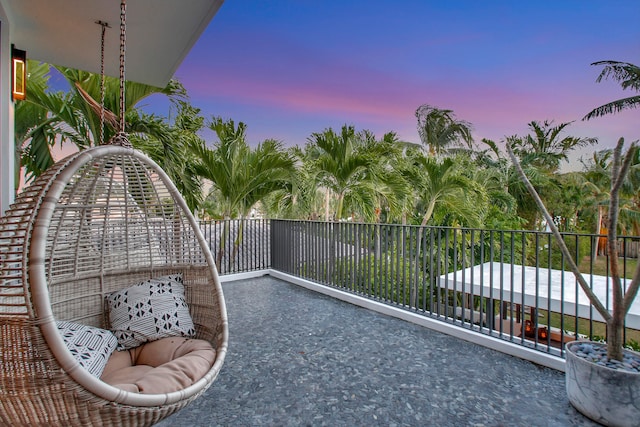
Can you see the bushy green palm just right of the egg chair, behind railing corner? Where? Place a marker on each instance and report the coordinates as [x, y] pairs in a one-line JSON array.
[[241, 177]]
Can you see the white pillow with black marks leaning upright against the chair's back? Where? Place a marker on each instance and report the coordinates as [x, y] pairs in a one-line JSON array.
[[149, 311]]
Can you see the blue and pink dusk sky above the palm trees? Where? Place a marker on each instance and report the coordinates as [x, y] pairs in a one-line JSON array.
[[291, 68]]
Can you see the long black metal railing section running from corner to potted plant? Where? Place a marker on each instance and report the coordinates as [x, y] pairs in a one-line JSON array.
[[513, 285]]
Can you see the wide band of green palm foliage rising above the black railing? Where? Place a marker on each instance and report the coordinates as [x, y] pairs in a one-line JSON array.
[[338, 175]]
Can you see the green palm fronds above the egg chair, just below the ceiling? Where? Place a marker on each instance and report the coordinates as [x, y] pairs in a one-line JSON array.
[[48, 118]]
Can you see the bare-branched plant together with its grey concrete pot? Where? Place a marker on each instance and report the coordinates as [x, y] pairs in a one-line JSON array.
[[603, 385]]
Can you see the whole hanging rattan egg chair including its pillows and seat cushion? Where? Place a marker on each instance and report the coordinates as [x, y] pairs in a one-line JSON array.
[[111, 309]]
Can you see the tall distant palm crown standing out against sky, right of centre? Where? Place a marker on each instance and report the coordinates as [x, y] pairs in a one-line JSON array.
[[439, 130]]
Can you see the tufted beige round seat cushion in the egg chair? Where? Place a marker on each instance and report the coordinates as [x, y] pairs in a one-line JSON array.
[[162, 366]]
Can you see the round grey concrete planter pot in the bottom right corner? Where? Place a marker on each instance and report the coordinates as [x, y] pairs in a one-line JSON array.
[[608, 396]]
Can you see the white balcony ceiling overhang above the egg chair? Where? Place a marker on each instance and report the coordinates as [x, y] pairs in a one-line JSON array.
[[160, 33]]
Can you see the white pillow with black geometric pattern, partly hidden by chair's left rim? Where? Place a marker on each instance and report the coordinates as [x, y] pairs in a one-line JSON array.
[[89, 345]]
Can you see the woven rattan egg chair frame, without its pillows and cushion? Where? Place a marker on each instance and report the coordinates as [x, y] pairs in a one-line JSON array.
[[96, 222]]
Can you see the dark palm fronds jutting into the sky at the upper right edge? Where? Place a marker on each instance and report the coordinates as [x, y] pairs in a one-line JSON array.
[[628, 75]]
